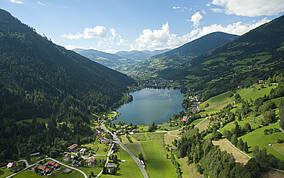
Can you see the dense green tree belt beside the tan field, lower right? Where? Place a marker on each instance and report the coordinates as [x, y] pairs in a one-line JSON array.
[[212, 162]]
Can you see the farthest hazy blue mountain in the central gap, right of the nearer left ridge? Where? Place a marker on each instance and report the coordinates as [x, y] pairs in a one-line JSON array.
[[140, 55]]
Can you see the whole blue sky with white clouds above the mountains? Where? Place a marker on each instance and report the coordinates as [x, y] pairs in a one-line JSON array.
[[118, 25]]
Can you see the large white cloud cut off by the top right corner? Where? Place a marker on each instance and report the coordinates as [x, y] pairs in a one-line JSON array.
[[251, 8]]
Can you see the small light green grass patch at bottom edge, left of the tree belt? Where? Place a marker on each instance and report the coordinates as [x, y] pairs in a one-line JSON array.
[[189, 171]]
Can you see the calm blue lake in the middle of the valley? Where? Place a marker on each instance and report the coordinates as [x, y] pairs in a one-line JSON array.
[[151, 105]]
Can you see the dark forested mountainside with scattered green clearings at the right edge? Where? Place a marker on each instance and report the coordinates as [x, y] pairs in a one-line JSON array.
[[254, 56]]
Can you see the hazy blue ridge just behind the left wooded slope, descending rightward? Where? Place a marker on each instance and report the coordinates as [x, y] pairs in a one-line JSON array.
[[107, 59]]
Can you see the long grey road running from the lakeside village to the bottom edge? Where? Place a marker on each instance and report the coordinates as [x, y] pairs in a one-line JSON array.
[[116, 140]]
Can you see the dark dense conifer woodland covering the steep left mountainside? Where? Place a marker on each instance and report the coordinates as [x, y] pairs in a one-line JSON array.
[[39, 79]]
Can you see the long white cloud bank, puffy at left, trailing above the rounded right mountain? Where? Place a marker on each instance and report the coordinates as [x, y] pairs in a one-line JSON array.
[[162, 38]]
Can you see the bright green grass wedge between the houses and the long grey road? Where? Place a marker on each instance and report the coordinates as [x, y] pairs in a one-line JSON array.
[[127, 169]]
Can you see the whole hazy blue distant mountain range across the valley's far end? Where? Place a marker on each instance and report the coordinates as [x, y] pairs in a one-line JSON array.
[[119, 61]]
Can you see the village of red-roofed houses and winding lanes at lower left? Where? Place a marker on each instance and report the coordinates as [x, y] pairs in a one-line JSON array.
[[102, 154]]
